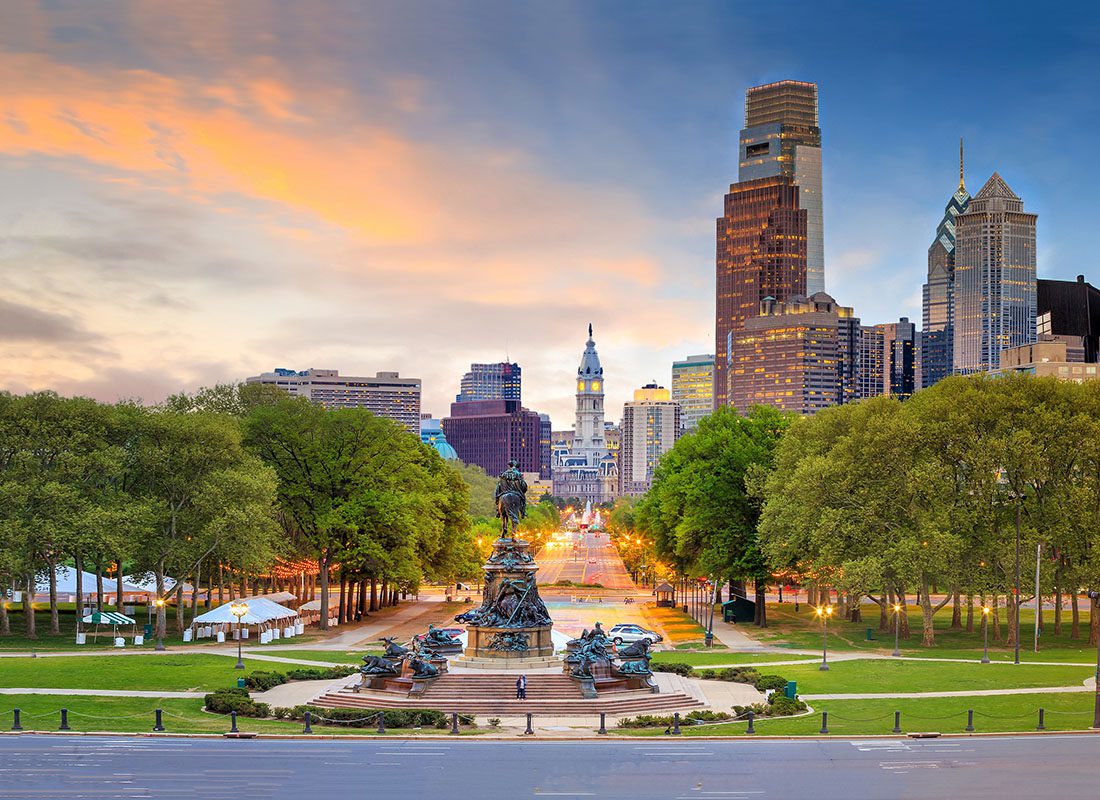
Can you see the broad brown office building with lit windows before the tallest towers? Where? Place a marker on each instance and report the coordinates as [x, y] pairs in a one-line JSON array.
[[799, 356]]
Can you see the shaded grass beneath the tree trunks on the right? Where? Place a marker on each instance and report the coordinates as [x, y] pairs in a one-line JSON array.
[[804, 631]]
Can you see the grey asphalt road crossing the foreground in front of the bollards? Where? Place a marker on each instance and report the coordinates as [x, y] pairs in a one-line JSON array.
[[53, 768]]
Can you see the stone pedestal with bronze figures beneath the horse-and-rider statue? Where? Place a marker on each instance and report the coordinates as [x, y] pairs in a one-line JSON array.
[[512, 623]]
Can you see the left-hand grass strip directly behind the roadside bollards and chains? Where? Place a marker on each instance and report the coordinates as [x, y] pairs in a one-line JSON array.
[[137, 715]]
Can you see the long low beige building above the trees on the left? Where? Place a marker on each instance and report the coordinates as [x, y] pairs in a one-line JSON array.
[[386, 396]]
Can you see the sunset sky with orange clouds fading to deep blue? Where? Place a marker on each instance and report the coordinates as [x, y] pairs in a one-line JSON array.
[[195, 193]]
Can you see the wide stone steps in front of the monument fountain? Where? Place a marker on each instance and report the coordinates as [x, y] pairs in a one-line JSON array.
[[496, 695]]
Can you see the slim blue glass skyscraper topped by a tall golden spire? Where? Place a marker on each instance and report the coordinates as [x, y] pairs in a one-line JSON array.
[[939, 323]]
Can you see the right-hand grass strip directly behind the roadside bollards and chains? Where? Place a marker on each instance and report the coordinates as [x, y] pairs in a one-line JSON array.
[[861, 718]]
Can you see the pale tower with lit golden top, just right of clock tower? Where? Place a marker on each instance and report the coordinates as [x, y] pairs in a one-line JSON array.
[[651, 428]]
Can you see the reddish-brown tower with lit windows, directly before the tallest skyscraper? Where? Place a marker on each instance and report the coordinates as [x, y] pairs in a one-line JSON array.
[[762, 253]]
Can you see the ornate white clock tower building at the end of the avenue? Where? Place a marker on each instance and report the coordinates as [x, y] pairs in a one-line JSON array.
[[587, 469]]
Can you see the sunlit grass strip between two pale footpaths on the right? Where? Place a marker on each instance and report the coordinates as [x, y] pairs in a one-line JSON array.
[[883, 676]]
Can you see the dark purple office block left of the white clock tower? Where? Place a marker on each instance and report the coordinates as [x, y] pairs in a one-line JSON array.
[[491, 433]]
